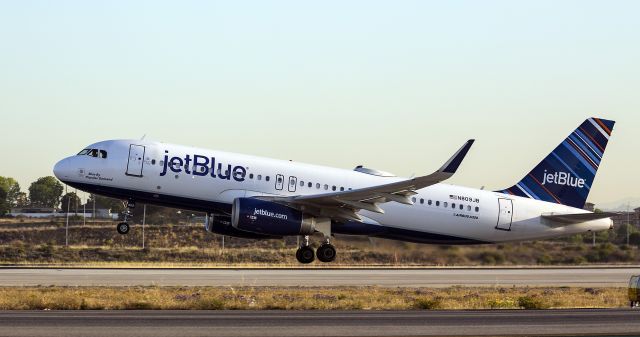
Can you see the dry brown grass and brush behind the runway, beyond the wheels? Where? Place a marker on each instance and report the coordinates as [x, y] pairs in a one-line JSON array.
[[41, 242]]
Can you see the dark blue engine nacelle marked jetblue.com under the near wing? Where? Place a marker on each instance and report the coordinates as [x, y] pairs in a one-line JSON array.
[[264, 217]]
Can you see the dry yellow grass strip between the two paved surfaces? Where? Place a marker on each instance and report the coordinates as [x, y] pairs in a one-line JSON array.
[[302, 298]]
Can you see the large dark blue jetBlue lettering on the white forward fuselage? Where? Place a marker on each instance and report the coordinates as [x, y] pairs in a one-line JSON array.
[[202, 166]]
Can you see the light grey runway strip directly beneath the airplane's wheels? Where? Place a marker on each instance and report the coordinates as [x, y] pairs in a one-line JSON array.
[[430, 277]]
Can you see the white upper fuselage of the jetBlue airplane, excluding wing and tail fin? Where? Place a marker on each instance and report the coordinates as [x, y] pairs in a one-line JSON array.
[[441, 209]]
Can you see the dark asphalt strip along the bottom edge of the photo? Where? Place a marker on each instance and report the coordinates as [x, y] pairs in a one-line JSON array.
[[318, 323]]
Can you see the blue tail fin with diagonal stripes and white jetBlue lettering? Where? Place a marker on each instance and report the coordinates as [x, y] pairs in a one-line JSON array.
[[566, 175]]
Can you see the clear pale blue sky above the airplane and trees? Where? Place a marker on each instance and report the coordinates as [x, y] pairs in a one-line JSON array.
[[394, 85]]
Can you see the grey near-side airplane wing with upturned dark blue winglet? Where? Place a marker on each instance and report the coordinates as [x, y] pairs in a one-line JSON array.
[[345, 205]]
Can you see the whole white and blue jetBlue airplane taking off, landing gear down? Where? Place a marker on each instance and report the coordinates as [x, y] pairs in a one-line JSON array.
[[260, 198]]
